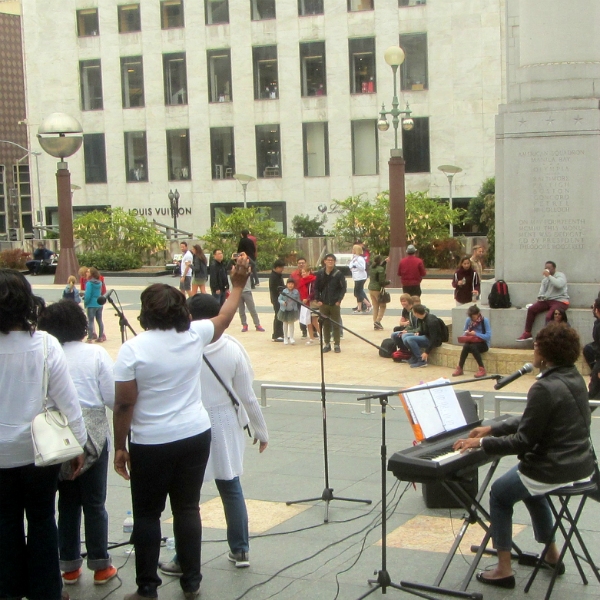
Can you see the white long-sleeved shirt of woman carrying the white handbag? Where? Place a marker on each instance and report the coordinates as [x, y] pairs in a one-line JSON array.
[[21, 373]]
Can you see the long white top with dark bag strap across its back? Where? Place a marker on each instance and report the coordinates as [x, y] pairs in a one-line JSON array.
[[230, 360]]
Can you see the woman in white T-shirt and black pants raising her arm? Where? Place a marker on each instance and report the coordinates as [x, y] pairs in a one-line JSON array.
[[158, 398]]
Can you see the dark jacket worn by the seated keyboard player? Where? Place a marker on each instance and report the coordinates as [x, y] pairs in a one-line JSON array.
[[551, 438]]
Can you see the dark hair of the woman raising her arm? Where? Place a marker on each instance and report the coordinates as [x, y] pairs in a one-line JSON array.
[[164, 307]]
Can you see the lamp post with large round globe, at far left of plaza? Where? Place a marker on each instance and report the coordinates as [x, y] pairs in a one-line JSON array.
[[60, 135]]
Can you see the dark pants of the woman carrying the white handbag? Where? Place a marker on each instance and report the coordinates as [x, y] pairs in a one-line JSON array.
[[29, 565]]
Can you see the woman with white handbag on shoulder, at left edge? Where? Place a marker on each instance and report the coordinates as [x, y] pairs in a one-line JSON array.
[[29, 564]]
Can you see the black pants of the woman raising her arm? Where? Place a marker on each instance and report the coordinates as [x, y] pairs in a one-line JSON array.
[[176, 470]]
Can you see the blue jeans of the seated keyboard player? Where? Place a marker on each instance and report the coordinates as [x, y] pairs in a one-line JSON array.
[[505, 493]]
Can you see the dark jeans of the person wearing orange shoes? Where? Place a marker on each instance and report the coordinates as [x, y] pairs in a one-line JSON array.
[[88, 491]]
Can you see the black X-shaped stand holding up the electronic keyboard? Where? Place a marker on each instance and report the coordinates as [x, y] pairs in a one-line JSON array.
[[476, 513]]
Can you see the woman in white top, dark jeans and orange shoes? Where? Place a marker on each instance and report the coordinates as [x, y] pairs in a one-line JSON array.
[[91, 369]]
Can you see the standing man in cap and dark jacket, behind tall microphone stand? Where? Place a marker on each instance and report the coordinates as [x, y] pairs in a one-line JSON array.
[[330, 291]]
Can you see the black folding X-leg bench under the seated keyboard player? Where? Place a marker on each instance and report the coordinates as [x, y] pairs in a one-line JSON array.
[[567, 521]]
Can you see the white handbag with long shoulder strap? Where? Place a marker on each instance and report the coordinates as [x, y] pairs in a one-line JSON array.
[[53, 440]]
